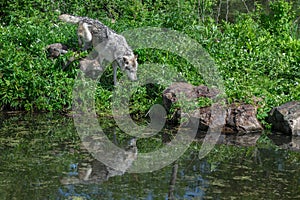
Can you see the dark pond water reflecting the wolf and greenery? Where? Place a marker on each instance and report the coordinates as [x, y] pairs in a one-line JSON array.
[[41, 157]]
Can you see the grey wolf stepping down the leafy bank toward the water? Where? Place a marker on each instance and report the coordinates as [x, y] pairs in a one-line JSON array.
[[109, 45]]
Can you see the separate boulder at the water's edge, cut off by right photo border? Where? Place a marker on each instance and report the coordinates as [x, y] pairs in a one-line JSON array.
[[286, 118]]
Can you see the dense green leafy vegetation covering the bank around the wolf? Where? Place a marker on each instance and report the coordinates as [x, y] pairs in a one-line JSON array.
[[257, 54]]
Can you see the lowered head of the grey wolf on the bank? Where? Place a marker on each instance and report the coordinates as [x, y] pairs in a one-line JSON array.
[[130, 66]]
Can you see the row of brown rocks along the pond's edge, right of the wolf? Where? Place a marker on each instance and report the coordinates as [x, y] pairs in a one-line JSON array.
[[240, 117]]
